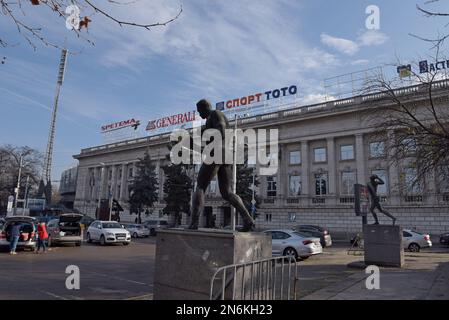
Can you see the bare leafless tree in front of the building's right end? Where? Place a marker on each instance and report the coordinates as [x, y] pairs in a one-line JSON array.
[[413, 119]]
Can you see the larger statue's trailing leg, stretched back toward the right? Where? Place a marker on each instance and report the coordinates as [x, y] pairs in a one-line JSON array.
[[224, 183]]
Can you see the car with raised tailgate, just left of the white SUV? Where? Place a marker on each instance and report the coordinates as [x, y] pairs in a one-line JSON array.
[[65, 229]]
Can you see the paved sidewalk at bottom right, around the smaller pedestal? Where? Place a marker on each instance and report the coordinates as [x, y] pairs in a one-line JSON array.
[[424, 277]]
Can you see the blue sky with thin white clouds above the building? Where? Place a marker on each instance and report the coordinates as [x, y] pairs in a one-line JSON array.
[[216, 49]]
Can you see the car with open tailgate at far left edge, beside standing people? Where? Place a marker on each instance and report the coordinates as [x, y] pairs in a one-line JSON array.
[[28, 231]]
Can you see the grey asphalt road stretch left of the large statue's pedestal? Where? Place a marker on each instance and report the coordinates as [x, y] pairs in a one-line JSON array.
[[110, 272]]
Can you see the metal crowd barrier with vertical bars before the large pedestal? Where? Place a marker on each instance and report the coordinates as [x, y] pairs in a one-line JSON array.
[[266, 279]]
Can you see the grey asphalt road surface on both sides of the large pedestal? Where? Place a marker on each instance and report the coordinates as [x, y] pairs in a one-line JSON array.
[[126, 272]]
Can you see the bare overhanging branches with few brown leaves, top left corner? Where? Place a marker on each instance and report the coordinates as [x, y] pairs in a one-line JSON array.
[[16, 11]]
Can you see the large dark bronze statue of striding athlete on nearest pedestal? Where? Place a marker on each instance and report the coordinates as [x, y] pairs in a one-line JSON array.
[[217, 120]]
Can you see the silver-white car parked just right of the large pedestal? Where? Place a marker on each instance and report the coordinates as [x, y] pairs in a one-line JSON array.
[[294, 243]]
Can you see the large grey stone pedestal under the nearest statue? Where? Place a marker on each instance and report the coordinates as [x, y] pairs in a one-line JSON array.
[[186, 260]]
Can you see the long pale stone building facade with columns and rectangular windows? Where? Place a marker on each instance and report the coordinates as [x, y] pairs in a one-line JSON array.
[[324, 149]]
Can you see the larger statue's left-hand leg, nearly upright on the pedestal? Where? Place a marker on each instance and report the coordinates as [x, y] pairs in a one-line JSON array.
[[205, 175]]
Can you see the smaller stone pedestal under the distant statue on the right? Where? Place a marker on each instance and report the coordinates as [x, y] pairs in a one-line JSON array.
[[383, 245]]
